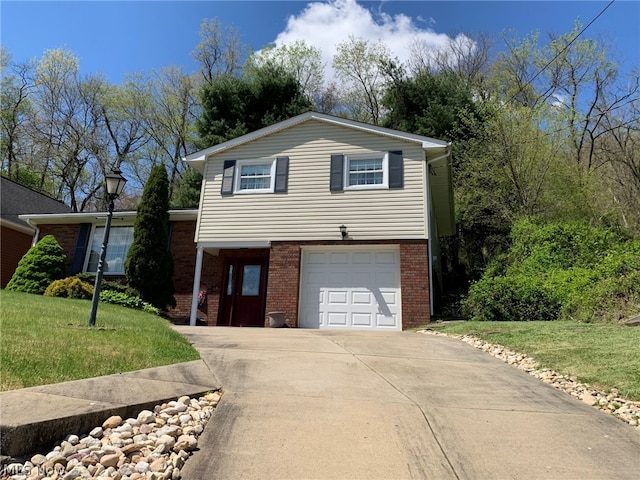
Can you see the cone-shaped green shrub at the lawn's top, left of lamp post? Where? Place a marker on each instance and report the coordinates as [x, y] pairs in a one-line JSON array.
[[41, 265]]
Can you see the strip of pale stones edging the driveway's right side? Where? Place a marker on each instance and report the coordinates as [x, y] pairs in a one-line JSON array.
[[611, 403]]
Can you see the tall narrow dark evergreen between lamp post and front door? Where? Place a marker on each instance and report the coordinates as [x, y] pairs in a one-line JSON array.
[[149, 265]]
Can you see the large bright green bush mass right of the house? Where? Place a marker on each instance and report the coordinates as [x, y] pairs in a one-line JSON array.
[[560, 271]]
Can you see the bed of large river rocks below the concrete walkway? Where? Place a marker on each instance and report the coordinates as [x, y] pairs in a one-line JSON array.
[[153, 446]]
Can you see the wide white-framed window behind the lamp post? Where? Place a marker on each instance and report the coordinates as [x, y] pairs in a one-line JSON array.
[[120, 239]]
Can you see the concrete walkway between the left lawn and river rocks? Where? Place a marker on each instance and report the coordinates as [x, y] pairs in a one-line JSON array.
[[38, 417]]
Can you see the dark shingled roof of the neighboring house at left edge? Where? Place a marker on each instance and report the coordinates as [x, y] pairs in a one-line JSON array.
[[16, 199]]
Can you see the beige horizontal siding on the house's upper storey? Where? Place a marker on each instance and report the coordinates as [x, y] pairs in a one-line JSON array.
[[309, 211]]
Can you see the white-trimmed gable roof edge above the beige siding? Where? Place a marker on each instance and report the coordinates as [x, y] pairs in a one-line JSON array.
[[197, 159]]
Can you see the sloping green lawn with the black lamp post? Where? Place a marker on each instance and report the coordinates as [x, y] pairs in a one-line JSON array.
[[47, 340]]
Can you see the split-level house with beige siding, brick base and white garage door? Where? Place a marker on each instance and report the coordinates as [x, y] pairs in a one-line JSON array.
[[317, 220]]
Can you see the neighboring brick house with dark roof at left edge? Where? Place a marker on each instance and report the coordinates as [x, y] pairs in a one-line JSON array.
[[16, 235]]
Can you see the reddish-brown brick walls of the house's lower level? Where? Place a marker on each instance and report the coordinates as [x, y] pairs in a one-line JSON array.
[[283, 283]]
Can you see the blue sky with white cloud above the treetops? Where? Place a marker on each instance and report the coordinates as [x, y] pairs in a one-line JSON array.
[[120, 37]]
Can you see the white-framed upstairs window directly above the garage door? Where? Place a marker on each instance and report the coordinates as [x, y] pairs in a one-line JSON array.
[[370, 170]]
